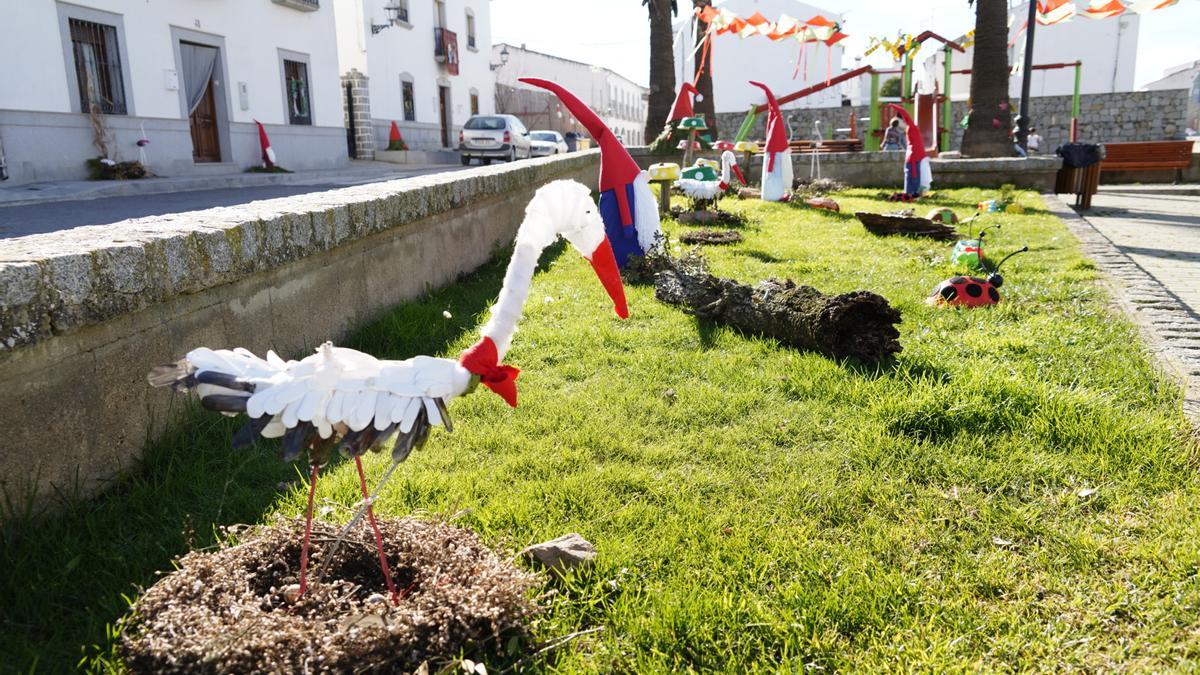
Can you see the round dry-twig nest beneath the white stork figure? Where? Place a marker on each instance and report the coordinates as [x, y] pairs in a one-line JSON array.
[[225, 611]]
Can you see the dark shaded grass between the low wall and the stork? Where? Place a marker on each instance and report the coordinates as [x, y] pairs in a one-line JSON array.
[[70, 576]]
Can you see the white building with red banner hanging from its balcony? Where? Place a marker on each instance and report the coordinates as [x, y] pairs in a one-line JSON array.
[[428, 65]]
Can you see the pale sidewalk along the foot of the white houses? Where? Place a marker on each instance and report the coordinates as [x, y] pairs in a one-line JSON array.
[[357, 172]]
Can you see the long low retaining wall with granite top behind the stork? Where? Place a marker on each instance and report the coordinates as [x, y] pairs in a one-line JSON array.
[[85, 314]]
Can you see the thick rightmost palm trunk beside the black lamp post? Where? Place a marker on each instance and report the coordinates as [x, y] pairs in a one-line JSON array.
[[991, 118]]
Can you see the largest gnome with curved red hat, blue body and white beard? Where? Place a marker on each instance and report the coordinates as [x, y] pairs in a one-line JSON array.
[[628, 207]]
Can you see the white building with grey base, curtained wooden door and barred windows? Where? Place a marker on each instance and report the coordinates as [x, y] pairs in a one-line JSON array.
[[191, 75]]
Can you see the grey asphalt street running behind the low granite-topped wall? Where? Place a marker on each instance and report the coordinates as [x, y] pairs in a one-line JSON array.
[[53, 216]]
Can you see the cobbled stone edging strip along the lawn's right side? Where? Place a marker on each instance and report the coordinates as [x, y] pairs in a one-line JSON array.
[[1171, 328]]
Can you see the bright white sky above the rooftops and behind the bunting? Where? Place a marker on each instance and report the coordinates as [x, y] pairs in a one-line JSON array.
[[615, 33]]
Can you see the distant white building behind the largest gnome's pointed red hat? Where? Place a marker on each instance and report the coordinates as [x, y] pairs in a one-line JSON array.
[[620, 101]]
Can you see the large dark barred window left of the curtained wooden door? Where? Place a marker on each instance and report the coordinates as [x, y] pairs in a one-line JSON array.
[[98, 68]]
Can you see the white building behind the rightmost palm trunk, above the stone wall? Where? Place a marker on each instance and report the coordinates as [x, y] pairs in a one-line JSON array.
[[1108, 50]]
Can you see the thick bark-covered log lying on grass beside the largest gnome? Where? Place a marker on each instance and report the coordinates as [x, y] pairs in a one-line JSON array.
[[854, 326]]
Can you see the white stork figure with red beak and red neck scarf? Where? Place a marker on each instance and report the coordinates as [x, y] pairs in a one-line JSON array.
[[351, 402]]
